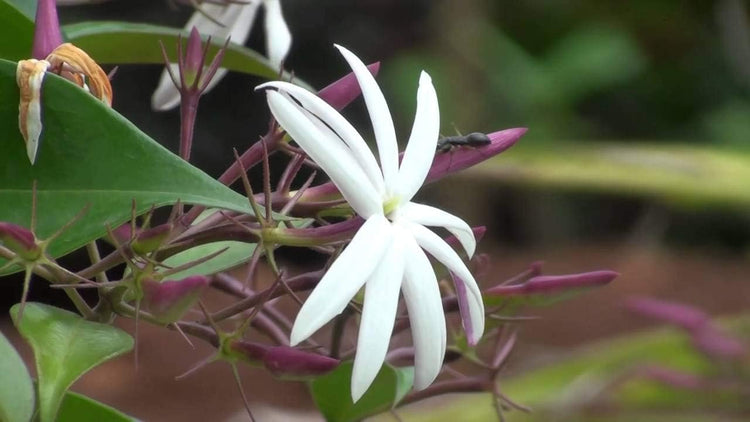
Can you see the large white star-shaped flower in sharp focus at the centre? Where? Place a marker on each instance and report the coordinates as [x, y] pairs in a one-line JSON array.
[[387, 252]]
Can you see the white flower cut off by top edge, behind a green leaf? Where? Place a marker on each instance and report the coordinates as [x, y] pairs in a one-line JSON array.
[[236, 22]]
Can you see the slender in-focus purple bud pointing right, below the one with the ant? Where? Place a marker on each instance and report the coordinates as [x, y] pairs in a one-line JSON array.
[[554, 283]]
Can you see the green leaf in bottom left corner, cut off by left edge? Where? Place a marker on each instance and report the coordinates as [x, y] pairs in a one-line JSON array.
[[16, 387]]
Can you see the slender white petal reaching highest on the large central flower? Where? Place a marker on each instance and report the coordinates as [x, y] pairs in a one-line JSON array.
[[382, 123]]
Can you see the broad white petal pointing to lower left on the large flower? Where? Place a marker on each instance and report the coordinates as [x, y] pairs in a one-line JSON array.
[[345, 277]]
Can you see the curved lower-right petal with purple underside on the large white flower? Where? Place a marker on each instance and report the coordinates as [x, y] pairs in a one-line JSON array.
[[437, 247]]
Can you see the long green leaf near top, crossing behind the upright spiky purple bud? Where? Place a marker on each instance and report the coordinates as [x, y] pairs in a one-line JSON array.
[[123, 43]]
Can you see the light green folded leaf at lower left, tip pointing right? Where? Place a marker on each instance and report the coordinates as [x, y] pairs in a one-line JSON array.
[[65, 347]]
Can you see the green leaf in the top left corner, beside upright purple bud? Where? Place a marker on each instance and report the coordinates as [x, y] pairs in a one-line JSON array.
[[16, 28]]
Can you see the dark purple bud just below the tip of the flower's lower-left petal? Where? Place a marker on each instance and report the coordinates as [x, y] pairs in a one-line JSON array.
[[290, 363]]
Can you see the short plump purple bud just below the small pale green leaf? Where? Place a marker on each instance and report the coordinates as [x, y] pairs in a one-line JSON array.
[[169, 300]]
